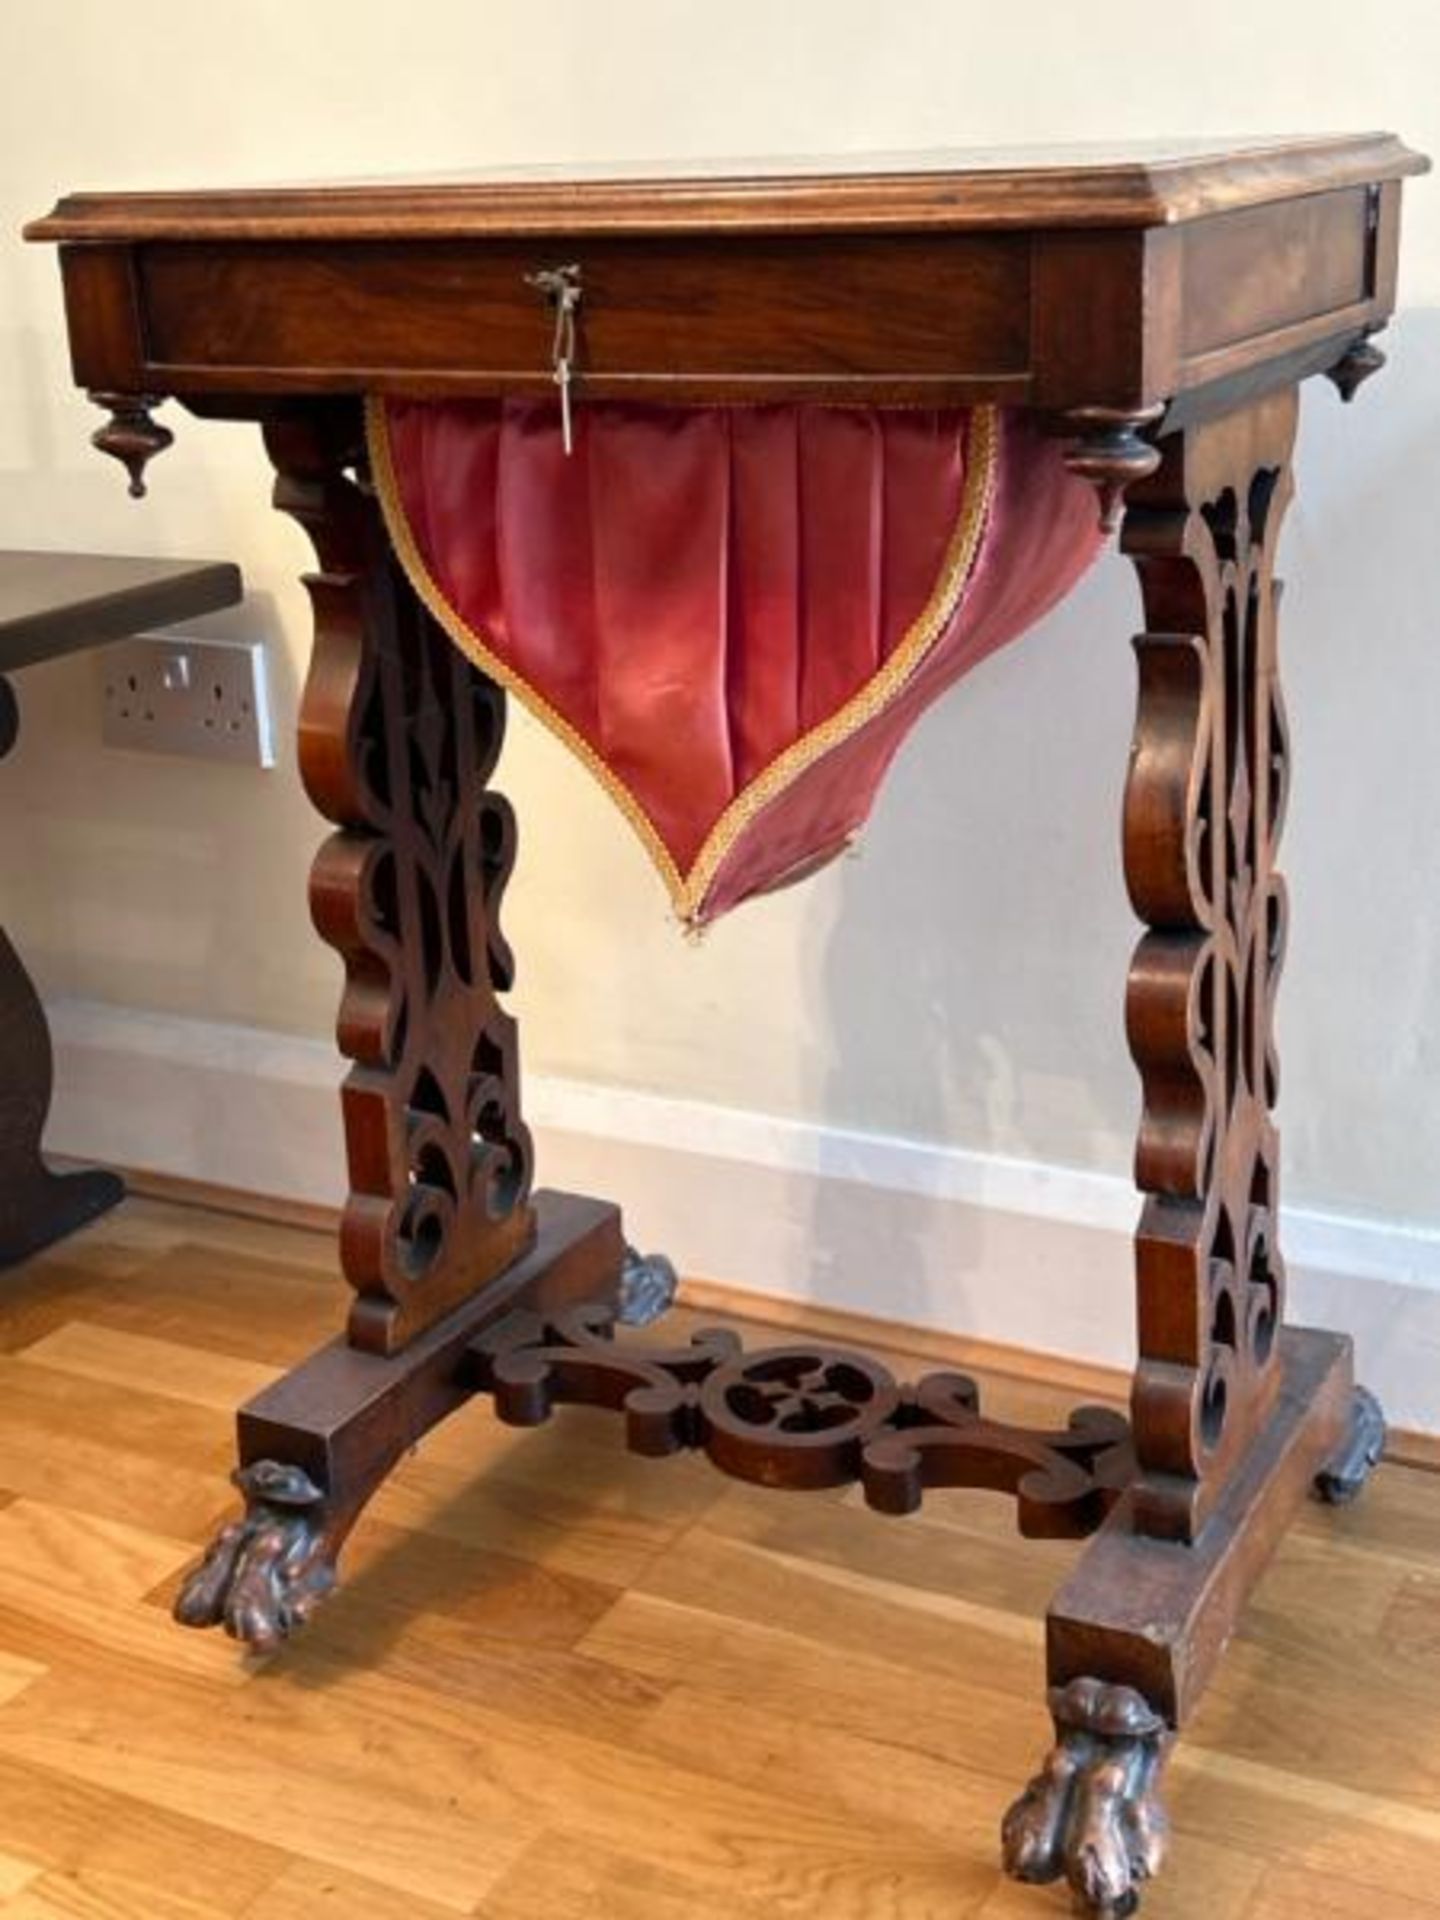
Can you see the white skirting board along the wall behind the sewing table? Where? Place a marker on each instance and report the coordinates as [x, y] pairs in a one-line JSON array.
[[907, 1232]]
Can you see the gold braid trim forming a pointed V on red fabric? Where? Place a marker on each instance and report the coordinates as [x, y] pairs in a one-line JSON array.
[[884, 686]]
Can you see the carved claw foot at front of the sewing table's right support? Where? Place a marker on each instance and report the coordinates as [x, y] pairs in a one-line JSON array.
[[1093, 1813]]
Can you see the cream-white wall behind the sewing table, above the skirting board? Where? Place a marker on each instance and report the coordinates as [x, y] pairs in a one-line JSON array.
[[961, 980]]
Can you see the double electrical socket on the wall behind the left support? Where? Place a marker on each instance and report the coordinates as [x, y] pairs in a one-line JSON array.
[[178, 694]]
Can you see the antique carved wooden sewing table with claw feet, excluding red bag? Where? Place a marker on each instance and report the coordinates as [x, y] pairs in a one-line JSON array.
[[1155, 312]]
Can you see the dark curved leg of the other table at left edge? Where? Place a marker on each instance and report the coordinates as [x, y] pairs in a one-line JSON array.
[[37, 1207]]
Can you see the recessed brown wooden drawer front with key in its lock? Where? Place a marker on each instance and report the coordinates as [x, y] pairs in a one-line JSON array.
[[684, 312]]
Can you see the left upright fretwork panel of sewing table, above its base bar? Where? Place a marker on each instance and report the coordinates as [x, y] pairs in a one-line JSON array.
[[398, 738]]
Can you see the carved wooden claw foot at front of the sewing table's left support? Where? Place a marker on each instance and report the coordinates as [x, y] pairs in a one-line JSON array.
[[266, 1573]]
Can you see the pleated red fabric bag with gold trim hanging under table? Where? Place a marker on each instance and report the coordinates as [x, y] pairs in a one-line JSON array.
[[731, 613]]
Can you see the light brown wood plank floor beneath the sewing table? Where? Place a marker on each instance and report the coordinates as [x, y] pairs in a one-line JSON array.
[[569, 1685]]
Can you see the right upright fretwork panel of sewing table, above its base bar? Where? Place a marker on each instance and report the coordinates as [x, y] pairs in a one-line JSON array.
[[1203, 815]]
